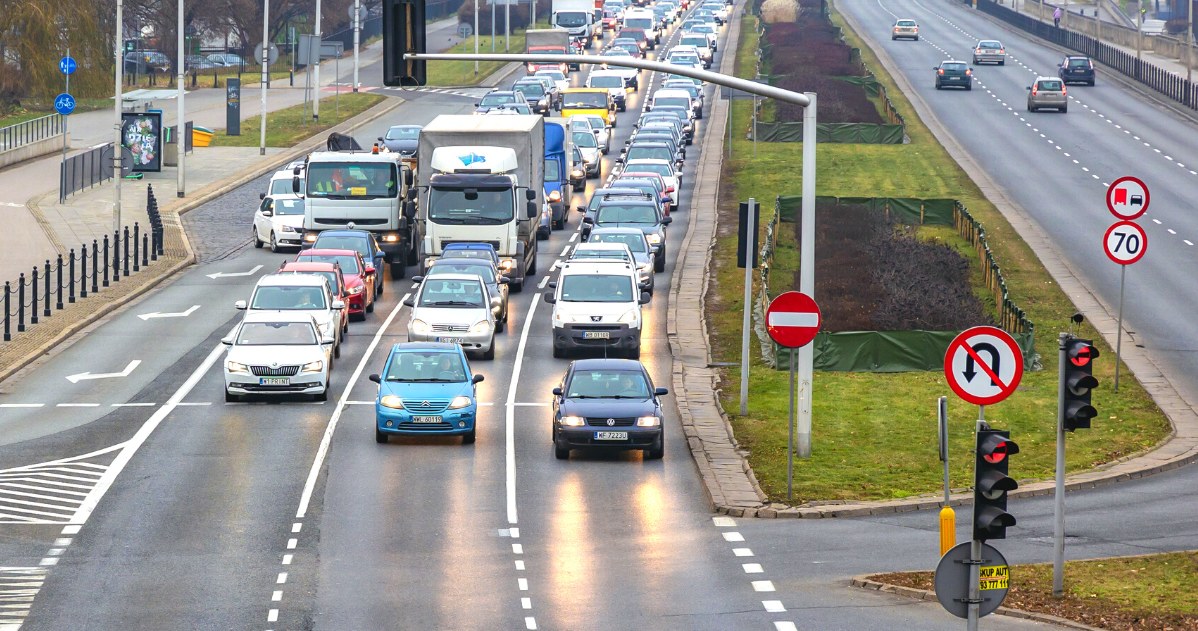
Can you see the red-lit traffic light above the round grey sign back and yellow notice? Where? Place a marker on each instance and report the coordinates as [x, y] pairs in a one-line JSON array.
[[991, 484]]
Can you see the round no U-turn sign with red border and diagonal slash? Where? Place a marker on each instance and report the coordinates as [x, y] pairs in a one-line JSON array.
[[984, 366]]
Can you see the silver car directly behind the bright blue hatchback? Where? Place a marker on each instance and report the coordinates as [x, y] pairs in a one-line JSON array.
[[456, 310]]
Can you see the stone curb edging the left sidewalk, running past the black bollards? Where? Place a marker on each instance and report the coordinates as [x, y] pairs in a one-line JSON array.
[[208, 195]]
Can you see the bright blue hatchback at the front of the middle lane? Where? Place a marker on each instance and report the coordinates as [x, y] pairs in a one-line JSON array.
[[426, 389]]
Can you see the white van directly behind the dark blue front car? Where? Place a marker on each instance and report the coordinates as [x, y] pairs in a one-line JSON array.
[[597, 306]]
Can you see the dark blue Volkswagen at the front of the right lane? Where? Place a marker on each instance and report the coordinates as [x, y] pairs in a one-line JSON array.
[[608, 404]]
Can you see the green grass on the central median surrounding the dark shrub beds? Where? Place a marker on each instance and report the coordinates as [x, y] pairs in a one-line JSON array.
[[874, 435]]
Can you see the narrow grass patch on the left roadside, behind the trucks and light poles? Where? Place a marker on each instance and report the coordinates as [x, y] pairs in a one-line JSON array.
[[292, 125]]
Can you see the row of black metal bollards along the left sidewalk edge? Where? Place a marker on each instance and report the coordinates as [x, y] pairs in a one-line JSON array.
[[81, 274]]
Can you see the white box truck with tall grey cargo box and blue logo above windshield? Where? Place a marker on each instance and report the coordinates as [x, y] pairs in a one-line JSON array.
[[482, 180]]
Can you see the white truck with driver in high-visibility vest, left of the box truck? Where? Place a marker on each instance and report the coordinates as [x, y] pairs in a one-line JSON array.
[[362, 191]]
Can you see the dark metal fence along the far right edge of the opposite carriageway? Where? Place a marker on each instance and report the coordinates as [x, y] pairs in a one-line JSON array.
[[1155, 77]]
